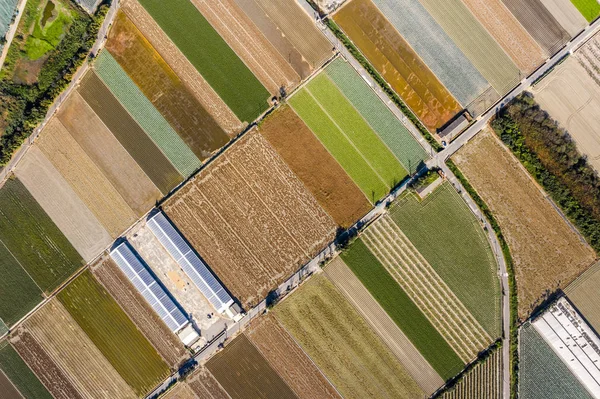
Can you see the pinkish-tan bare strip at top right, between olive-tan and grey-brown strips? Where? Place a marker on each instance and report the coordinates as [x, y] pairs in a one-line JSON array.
[[508, 32]]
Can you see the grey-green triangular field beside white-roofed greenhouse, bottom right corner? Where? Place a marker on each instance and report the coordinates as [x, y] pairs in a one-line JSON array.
[[541, 372]]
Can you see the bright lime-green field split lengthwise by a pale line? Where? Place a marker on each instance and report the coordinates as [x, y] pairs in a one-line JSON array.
[[348, 137]]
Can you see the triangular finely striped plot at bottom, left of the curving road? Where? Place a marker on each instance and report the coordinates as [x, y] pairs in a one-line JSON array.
[[483, 381]]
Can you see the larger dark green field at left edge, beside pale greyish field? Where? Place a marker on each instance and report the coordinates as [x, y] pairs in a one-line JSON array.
[[33, 239]]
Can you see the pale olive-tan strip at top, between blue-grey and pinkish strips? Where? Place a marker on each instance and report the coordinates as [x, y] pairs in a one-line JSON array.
[[476, 43]]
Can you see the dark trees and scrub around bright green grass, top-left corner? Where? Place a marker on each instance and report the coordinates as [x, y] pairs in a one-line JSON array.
[[26, 92]]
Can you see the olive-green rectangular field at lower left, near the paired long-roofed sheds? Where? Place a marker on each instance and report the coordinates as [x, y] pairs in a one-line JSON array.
[[113, 333]]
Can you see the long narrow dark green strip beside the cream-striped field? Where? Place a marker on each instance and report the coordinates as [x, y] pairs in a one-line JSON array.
[[402, 310]]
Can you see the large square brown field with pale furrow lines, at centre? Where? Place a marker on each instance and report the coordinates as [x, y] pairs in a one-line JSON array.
[[250, 218]]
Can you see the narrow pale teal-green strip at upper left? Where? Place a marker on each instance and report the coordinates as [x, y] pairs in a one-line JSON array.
[[146, 115]]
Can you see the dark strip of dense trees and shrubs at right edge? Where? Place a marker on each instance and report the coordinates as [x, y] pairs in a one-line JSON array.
[[551, 157]]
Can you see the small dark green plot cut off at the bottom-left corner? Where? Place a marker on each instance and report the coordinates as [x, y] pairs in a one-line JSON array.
[[20, 375]]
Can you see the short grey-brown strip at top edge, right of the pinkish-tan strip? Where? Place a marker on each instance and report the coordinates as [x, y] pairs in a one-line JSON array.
[[540, 24]]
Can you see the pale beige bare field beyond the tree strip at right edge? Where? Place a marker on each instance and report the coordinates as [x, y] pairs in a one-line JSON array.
[[572, 98]]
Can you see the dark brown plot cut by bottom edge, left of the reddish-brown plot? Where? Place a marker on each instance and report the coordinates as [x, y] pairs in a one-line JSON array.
[[244, 372]]
